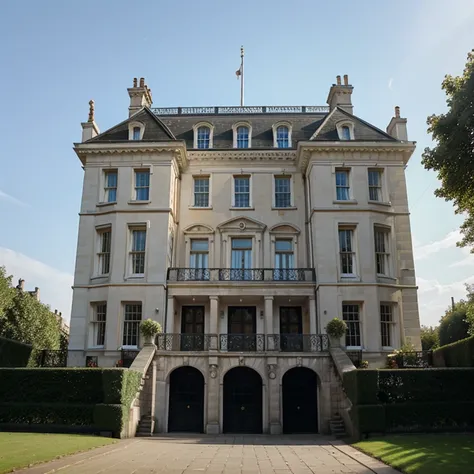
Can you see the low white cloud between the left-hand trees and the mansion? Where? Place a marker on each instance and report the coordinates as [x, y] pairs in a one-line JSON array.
[[54, 285]]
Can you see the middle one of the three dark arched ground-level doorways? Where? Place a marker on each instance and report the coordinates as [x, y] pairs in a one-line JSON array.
[[242, 401]]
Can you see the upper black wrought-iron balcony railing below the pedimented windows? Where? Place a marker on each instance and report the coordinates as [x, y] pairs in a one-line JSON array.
[[237, 274]]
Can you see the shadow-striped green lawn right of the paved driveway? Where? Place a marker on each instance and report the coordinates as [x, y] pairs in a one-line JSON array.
[[424, 453]]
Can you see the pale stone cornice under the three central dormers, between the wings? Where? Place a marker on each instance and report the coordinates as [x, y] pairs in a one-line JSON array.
[[242, 155]]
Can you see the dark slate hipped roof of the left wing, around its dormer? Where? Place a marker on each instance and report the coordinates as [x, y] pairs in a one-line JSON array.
[[155, 129]]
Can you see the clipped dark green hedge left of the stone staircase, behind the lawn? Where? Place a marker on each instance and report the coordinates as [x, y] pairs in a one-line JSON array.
[[72, 399]]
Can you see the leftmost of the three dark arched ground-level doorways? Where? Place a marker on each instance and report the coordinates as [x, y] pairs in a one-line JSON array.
[[186, 401]]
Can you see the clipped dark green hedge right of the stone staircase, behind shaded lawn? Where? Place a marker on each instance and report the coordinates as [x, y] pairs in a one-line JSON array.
[[411, 400]]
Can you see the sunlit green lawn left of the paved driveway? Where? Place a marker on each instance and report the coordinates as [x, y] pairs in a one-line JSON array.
[[19, 450]]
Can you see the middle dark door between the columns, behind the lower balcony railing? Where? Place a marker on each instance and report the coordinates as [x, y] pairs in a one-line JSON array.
[[242, 328]]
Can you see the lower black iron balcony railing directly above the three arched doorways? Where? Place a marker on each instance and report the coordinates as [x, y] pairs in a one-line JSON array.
[[243, 342]]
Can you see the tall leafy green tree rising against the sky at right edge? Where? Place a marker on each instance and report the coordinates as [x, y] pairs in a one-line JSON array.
[[453, 155]]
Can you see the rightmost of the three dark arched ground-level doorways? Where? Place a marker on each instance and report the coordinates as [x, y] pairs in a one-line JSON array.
[[300, 401]]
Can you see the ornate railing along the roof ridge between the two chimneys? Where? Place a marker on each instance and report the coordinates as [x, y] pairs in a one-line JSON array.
[[254, 109]]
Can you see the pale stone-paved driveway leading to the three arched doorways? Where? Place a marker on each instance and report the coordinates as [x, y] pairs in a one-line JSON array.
[[219, 454]]
